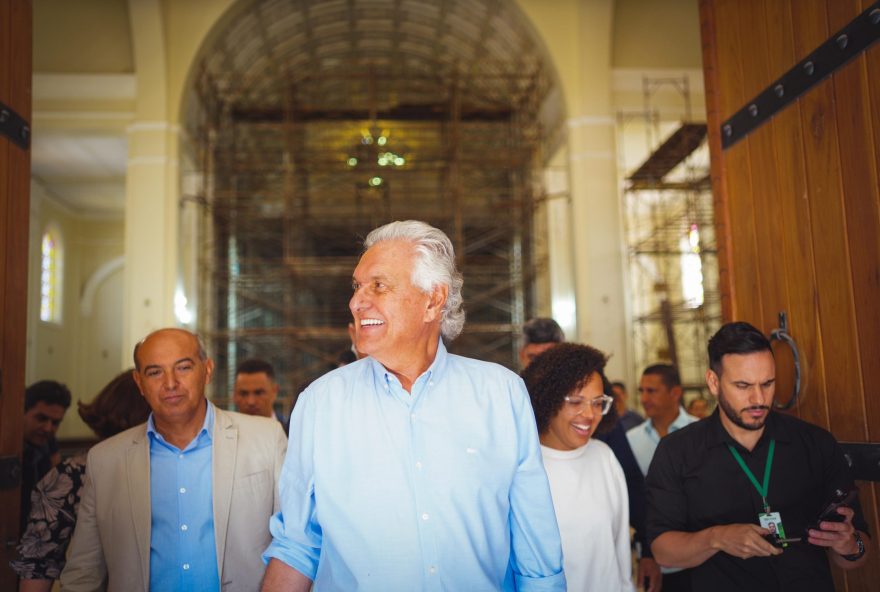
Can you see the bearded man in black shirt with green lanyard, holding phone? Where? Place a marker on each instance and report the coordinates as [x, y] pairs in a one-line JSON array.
[[716, 486]]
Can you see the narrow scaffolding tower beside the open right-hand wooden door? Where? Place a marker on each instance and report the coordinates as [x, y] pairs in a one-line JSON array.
[[670, 234]]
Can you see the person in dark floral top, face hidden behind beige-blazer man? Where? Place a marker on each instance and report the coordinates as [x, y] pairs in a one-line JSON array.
[[55, 499]]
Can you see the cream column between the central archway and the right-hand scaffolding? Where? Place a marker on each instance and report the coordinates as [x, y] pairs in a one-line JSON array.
[[578, 37]]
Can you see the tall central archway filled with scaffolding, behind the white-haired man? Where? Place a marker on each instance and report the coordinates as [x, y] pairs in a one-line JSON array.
[[313, 122]]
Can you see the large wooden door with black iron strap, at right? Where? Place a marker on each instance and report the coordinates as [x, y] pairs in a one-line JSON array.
[[798, 210]]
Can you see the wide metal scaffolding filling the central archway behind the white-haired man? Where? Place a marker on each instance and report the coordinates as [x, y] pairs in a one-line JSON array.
[[298, 166]]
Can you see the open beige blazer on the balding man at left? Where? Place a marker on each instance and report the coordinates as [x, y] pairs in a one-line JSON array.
[[110, 549]]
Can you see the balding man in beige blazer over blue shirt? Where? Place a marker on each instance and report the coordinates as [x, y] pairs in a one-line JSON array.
[[114, 540]]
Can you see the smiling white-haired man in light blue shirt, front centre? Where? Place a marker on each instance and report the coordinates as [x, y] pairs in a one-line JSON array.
[[413, 469]]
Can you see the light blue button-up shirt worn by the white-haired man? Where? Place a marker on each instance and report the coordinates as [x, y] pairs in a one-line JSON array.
[[441, 489]]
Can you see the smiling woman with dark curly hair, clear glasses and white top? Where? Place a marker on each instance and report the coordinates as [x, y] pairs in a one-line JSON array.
[[566, 386]]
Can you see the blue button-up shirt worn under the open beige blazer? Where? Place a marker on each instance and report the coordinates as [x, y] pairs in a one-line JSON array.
[[183, 554]]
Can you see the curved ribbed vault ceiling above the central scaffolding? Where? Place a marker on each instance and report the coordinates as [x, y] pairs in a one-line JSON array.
[[393, 59]]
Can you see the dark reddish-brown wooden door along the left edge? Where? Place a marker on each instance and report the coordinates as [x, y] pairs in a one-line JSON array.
[[15, 93]]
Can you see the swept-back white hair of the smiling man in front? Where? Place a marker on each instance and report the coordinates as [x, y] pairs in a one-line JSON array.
[[434, 266]]
